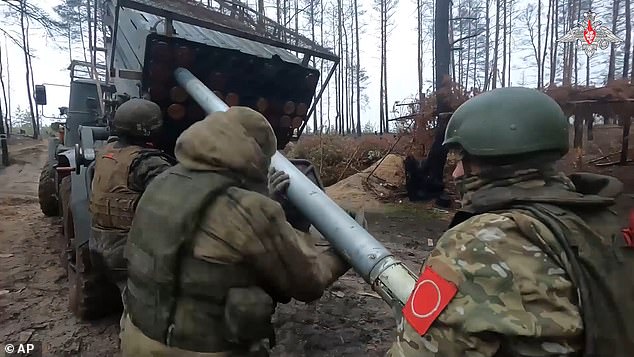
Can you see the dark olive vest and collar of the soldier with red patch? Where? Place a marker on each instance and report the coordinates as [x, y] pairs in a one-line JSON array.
[[588, 244]]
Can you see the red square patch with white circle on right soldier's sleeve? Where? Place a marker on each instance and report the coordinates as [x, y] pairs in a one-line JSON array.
[[431, 295]]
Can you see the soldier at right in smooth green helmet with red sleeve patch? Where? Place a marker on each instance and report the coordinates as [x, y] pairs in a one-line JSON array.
[[534, 263]]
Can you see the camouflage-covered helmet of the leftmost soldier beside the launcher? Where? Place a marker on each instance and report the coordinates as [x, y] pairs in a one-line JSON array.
[[137, 118]]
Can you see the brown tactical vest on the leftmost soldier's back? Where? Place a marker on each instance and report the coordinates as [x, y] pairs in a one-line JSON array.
[[113, 203]]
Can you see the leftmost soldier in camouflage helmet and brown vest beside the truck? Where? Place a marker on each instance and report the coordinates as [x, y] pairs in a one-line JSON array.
[[123, 169]]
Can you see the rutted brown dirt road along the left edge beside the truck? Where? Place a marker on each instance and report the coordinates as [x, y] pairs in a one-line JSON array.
[[33, 288]]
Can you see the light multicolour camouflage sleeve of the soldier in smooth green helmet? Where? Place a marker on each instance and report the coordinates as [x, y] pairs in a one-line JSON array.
[[512, 298]]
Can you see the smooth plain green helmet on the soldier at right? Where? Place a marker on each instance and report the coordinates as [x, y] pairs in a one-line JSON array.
[[508, 121]]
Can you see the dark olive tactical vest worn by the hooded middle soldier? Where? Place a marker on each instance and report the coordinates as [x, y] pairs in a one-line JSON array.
[[172, 297]]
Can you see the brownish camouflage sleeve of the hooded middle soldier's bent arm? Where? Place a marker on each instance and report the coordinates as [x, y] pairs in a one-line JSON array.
[[246, 227]]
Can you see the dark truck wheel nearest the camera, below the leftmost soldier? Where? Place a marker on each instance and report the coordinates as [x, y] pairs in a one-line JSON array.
[[92, 295]]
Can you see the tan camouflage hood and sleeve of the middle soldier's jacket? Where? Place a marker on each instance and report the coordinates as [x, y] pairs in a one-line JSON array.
[[246, 225]]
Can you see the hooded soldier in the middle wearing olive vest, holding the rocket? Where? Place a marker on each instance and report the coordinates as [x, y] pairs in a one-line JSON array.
[[210, 254]]
